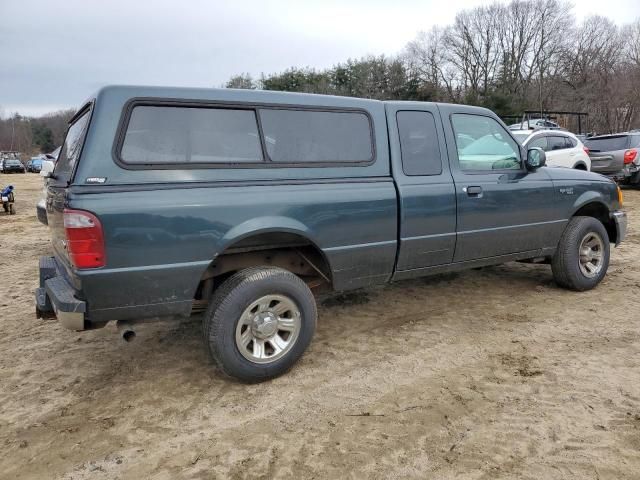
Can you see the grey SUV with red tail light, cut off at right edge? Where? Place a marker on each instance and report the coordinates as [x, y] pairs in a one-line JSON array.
[[616, 156]]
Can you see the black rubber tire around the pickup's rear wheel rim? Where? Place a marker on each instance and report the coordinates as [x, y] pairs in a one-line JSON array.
[[229, 302]]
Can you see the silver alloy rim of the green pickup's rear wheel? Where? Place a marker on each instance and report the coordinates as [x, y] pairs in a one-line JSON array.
[[268, 328]]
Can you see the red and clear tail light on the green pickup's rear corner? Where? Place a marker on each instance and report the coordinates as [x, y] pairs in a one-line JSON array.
[[85, 241]]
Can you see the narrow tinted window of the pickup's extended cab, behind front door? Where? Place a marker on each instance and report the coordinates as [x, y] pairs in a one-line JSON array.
[[419, 143]]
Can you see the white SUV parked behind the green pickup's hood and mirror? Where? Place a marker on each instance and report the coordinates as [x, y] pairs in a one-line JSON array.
[[563, 148]]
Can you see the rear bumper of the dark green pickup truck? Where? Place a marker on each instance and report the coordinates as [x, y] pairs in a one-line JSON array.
[[56, 296]]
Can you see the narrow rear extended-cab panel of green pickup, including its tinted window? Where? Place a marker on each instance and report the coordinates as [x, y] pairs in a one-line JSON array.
[[427, 200]]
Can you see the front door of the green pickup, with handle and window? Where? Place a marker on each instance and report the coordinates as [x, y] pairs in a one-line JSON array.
[[502, 207]]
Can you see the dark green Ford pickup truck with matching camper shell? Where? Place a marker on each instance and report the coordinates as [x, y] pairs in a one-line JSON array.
[[242, 204]]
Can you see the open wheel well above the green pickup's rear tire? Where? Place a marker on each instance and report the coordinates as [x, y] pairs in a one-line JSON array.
[[290, 251]]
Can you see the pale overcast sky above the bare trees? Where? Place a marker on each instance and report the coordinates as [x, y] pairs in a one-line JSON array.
[[55, 53]]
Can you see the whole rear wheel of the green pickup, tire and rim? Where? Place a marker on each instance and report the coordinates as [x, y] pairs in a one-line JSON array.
[[259, 323]]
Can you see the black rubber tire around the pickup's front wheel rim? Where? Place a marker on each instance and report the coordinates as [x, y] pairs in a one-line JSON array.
[[566, 262]]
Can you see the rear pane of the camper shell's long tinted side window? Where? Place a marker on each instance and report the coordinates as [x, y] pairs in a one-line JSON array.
[[165, 135]]
